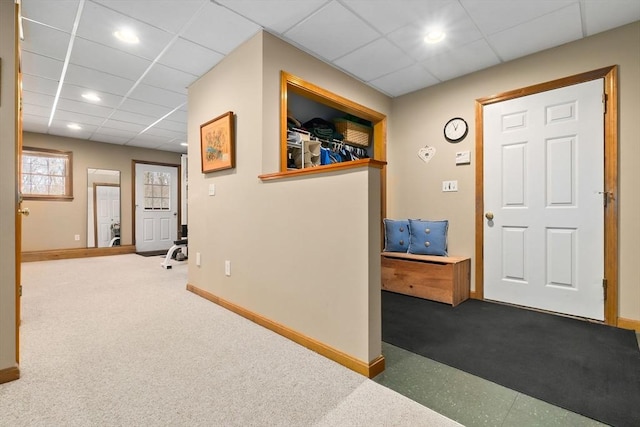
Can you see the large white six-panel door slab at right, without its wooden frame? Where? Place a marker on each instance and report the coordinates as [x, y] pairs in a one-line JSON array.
[[543, 178]]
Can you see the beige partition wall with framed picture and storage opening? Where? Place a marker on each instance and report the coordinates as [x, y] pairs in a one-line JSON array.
[[300, 248]]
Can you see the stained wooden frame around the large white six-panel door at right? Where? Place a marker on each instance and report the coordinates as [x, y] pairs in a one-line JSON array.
[[610, 76]]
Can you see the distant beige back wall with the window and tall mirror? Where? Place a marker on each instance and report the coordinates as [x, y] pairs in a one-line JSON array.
[[54, 224]]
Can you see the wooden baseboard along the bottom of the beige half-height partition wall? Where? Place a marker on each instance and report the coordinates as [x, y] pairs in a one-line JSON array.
[[369, 370]]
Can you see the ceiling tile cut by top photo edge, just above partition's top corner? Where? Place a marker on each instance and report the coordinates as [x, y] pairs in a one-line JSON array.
[[277, 15]]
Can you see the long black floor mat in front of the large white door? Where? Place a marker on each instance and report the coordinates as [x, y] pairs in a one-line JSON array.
[[584, 367]]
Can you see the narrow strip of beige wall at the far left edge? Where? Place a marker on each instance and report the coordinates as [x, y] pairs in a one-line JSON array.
[[7, 187]]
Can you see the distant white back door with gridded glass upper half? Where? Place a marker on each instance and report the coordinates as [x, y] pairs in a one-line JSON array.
[[156, 207]]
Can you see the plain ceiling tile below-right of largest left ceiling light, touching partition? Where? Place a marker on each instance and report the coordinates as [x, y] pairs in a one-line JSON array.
[[190, 57]]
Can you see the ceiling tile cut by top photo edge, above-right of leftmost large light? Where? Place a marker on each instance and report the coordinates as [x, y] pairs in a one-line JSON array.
[[169, 15]]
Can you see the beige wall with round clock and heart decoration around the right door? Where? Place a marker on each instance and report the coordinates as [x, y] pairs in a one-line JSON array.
[[414, 188]]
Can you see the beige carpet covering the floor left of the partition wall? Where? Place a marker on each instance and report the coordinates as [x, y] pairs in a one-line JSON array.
[[118, 341]]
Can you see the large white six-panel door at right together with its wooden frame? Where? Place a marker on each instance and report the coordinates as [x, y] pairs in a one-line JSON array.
[[533, 247]]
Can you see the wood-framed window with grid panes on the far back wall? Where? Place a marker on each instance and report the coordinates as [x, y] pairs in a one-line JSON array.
[[46, 174]]
